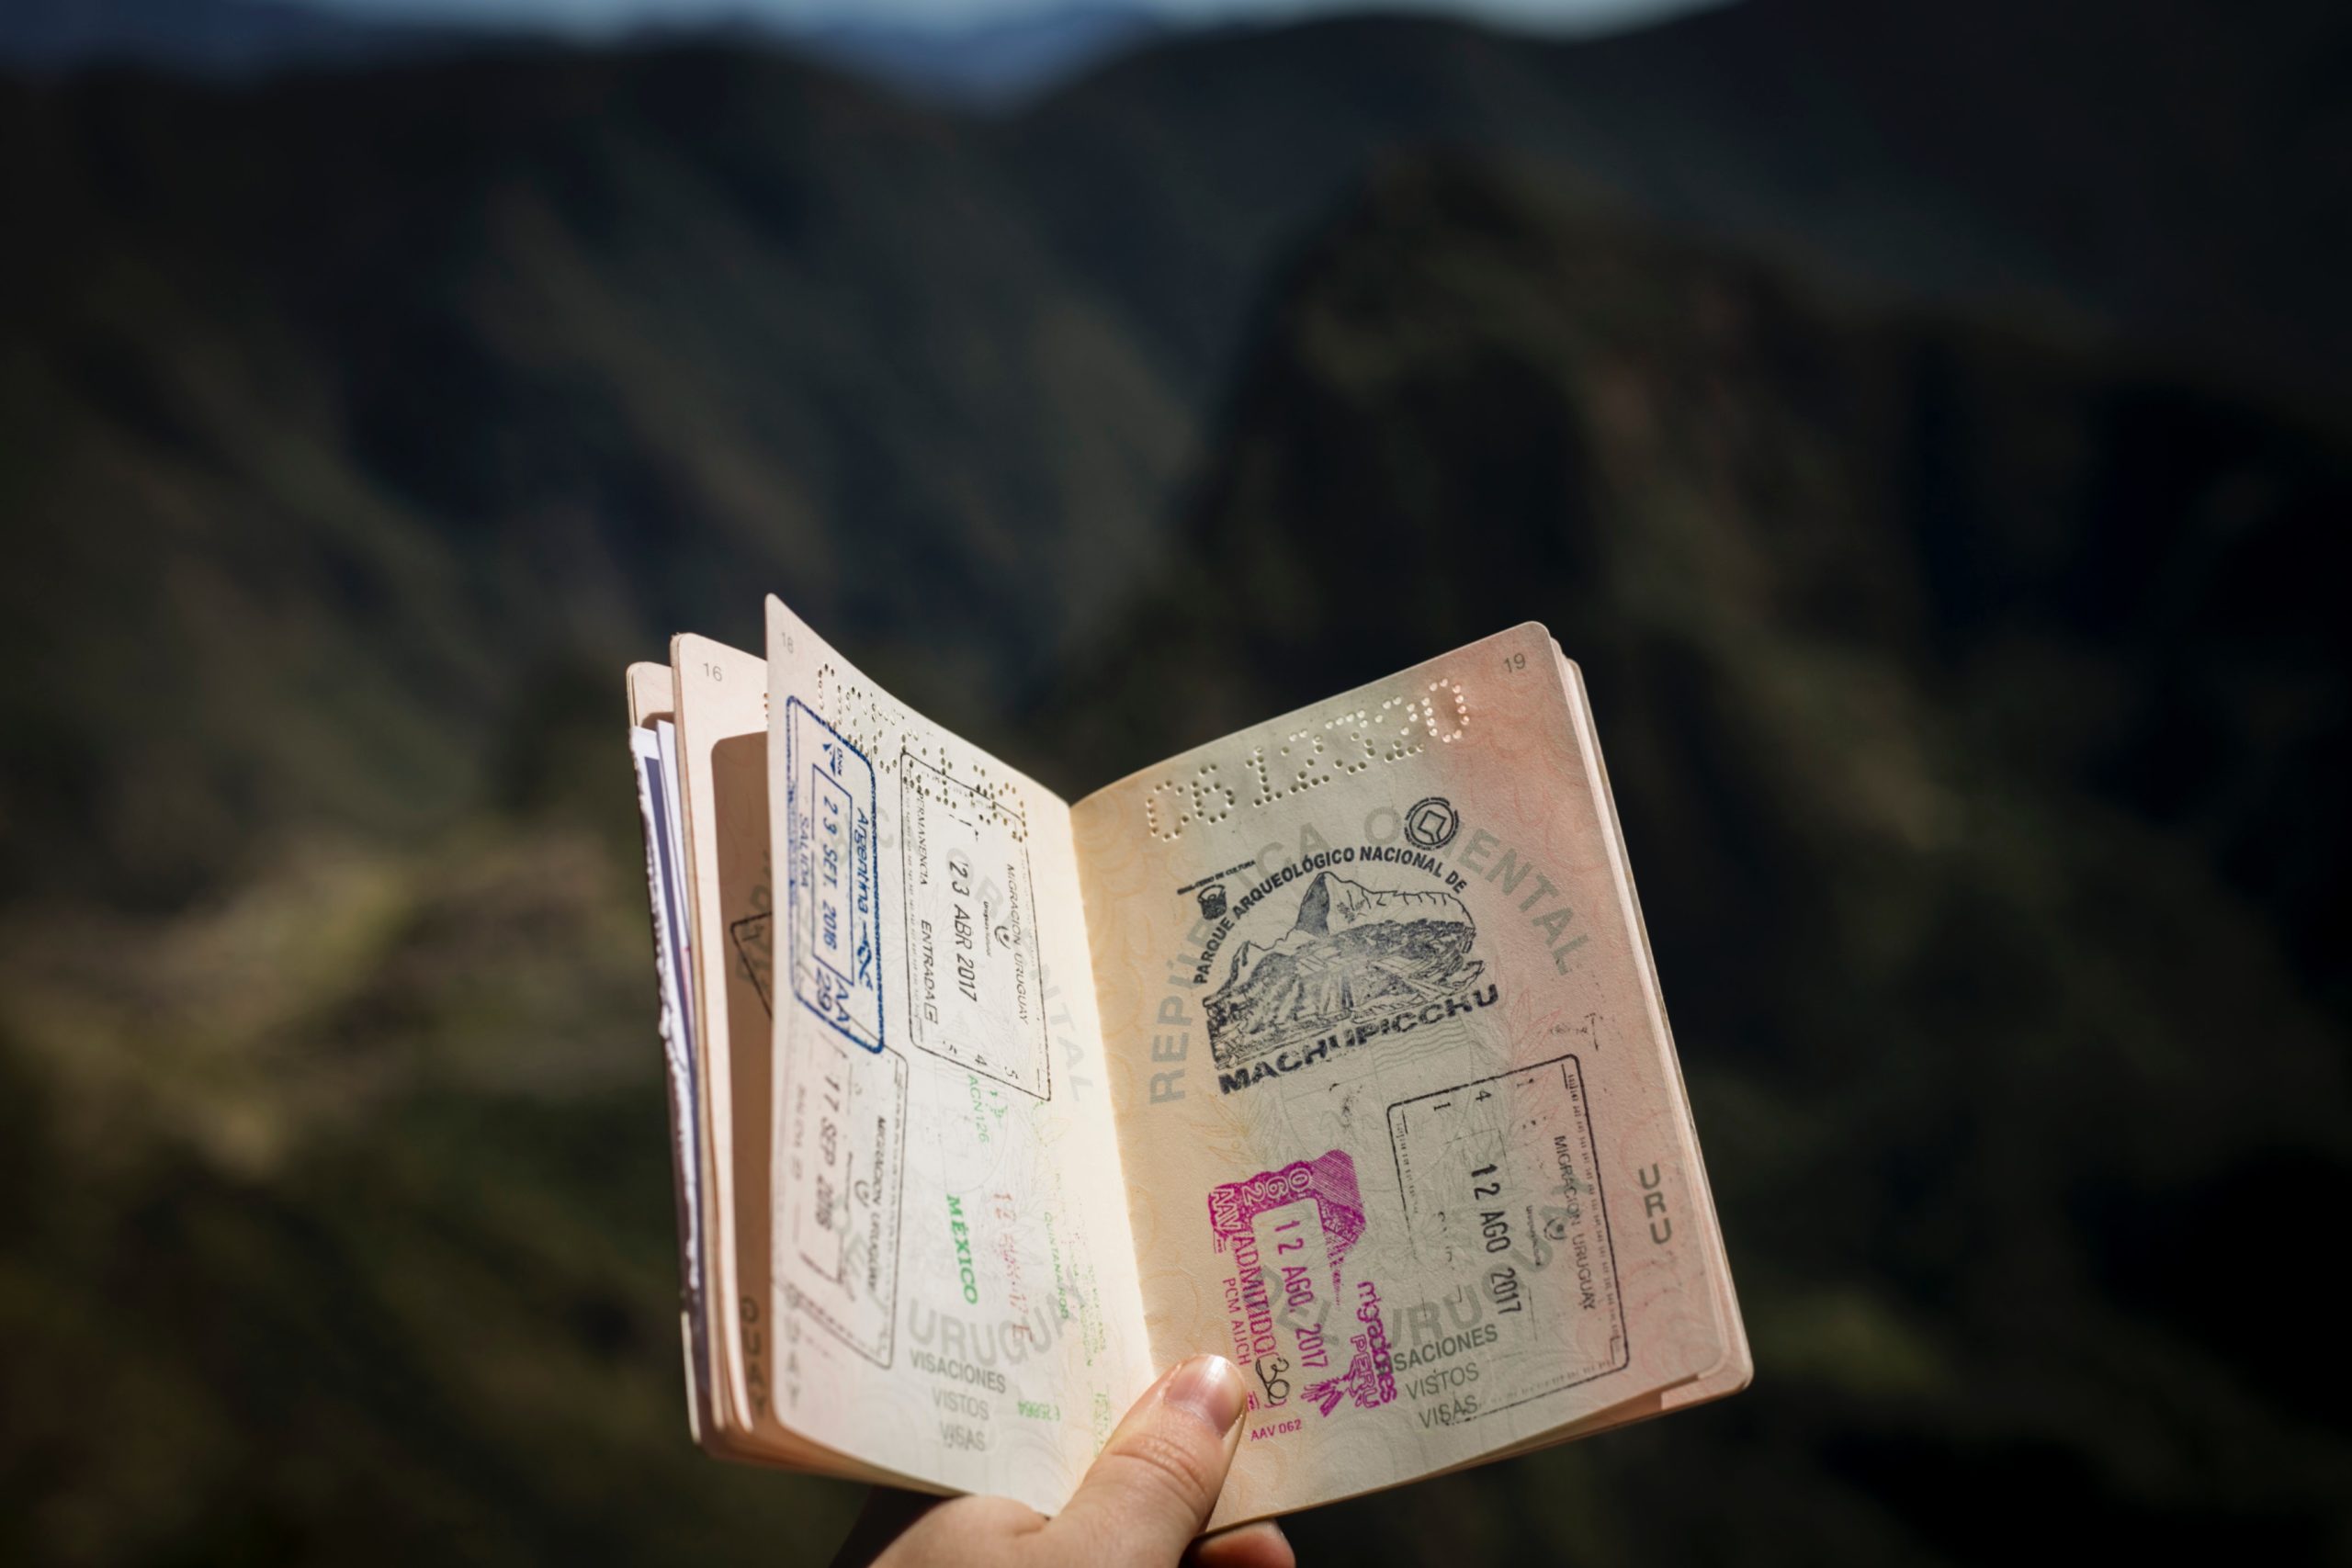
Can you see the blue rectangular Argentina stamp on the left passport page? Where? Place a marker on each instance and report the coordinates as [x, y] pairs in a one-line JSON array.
[[834, 871]]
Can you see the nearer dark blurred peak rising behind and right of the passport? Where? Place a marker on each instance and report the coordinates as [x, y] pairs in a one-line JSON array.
[[1979, 732]]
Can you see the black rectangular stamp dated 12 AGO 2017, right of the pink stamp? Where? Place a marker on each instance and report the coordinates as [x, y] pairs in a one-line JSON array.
[[1504, 1113]]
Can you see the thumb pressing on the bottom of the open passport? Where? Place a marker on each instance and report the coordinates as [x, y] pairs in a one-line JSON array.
[[1158, 1477]]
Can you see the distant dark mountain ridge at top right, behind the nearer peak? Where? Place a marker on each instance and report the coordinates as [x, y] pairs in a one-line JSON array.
[[2163, 173]]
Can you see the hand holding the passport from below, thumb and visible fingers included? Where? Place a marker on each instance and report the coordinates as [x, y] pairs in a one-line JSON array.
[[1140, 1508]]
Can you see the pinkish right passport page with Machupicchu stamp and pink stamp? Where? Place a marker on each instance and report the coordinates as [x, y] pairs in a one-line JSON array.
[[1394, 1083]]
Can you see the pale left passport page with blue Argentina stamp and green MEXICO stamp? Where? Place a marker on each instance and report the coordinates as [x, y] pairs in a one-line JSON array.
[[954, 1271]]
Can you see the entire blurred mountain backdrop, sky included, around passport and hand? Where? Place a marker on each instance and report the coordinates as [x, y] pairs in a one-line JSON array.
[[1927, 424]]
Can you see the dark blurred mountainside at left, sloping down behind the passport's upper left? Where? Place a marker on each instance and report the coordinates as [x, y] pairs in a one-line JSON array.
[[375, 401]]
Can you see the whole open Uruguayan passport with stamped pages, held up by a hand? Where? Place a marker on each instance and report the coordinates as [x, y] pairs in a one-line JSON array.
[[1332, 1047]]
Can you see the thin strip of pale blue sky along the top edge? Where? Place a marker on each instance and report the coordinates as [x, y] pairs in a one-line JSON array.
[[594, 18]]
